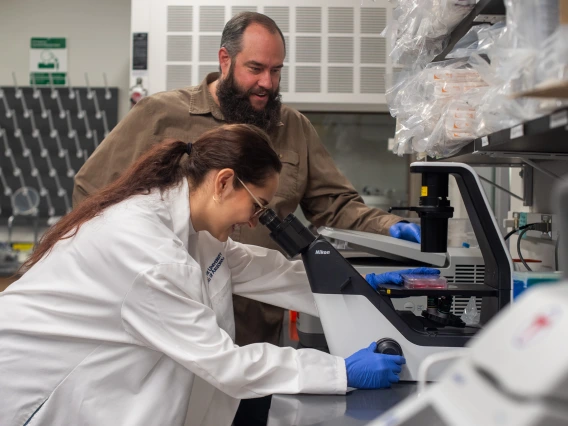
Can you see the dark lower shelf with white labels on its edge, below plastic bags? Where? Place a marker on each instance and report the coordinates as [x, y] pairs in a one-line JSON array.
[[544, 138]]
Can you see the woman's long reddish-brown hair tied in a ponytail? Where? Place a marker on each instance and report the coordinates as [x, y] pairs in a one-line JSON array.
[[241, 147]]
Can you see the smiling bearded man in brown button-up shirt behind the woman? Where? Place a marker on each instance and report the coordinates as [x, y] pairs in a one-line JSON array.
[[246, 91]]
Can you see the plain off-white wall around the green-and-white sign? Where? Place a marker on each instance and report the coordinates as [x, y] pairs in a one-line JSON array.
[[98, 38]]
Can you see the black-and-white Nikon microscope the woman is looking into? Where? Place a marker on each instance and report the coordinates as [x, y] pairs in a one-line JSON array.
[[353, 314]]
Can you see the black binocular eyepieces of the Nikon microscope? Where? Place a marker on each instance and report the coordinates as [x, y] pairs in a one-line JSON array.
[[290, 234]]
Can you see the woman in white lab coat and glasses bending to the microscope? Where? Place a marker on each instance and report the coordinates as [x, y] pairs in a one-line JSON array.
[[126, 306]]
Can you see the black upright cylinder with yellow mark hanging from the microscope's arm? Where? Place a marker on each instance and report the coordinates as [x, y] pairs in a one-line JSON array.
[[435, 211]]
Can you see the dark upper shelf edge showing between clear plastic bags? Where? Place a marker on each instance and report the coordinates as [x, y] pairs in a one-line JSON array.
[[485, 11]]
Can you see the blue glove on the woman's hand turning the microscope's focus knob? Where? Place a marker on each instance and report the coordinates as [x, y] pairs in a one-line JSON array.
[[369, 370]]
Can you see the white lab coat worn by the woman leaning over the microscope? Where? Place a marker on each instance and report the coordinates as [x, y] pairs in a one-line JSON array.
[[113, 327]]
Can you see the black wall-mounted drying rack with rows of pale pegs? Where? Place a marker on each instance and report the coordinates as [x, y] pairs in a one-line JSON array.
[[46, 135]]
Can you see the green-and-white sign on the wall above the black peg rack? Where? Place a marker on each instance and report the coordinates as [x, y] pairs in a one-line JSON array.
[[48, 61]]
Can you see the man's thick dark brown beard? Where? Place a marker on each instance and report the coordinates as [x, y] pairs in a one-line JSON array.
[[236, 106]]
